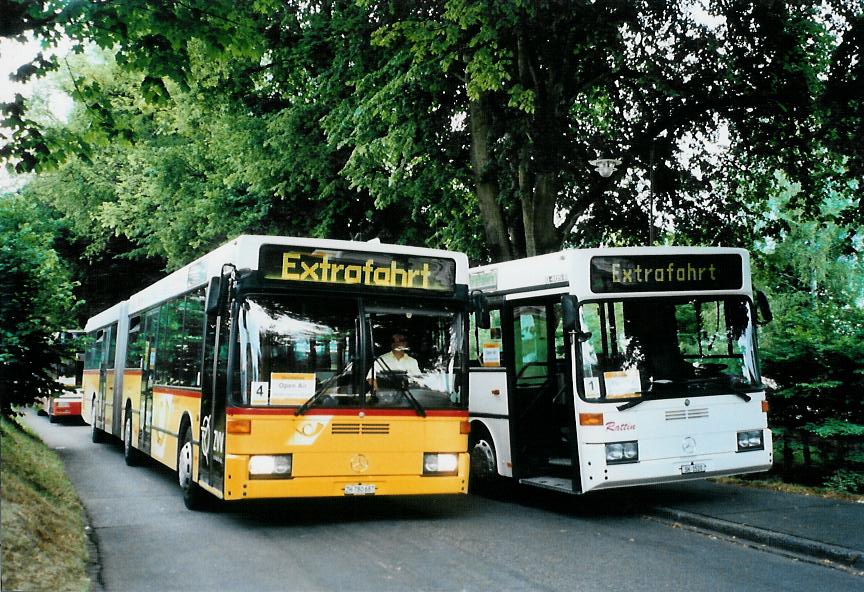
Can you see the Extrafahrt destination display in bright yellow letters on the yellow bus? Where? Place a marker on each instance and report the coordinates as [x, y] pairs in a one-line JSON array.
[[357, 268]]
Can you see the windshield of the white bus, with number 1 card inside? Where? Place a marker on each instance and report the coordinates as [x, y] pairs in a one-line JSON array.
[[661, 348]]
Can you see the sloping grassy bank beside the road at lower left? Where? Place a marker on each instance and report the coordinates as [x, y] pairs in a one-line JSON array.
[[43, 540]]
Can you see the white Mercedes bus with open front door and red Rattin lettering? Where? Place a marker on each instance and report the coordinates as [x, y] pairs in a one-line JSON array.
[[603, 368]]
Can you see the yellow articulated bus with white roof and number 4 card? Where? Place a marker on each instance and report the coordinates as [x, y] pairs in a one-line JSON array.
[[279, 367]]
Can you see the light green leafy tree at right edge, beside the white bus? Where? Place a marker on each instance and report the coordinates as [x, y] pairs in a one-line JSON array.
[[813, 351]]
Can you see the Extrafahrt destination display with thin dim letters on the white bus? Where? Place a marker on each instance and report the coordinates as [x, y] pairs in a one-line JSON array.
[[666, 273]]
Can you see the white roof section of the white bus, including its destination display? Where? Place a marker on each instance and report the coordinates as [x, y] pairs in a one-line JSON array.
[[577, 271]]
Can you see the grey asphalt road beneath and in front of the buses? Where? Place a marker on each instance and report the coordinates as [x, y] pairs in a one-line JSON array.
[[521, 540]]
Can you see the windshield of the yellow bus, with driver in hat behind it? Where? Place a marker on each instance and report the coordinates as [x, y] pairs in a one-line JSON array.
[[305, 352]]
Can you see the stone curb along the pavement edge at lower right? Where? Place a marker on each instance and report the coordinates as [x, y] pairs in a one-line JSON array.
[[786, 542]]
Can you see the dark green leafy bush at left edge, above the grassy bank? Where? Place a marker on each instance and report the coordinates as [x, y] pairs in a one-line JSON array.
[[35, 302]]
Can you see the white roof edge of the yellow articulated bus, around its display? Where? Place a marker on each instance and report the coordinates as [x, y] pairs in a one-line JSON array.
[[243, 253]]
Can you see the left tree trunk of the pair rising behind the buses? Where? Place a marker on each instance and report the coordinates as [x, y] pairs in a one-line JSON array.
[[487, 182]]
